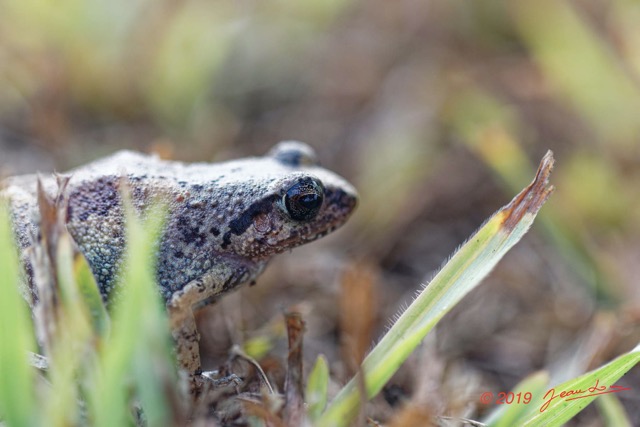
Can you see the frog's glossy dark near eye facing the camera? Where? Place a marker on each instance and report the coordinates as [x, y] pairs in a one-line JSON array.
[[304, 199]]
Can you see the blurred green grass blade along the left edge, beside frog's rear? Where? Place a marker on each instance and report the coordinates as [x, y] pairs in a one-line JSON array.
[[17, 395]]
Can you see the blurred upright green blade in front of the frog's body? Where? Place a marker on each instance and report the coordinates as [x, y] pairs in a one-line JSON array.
[[139, 342]]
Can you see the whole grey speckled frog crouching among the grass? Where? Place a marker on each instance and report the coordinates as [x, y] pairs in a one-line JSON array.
[[225, 221]]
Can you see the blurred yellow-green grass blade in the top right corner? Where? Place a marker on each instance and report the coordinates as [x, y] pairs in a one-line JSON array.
[[579, 65]]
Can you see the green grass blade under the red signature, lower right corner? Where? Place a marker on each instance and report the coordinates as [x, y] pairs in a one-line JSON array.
[[557, 411]]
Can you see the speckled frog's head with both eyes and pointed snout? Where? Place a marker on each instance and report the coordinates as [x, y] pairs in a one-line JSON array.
[[301, 203]]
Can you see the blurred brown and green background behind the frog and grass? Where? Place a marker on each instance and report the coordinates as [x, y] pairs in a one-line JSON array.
[[437, 111]]
